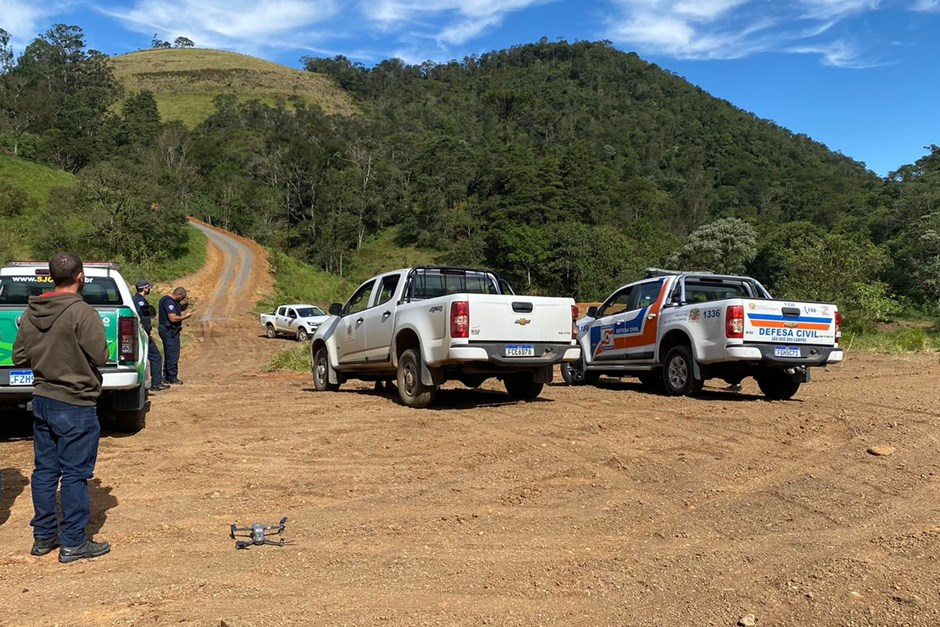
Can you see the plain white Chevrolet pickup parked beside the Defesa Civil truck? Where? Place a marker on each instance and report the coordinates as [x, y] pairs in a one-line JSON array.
[[423, 326]]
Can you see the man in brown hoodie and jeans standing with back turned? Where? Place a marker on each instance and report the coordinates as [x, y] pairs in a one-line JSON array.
[[62, 340]]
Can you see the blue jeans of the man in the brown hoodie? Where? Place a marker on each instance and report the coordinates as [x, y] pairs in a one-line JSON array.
[[65, 443]]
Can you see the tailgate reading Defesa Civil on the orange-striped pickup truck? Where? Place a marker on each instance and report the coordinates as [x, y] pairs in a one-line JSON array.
[[789, 323]]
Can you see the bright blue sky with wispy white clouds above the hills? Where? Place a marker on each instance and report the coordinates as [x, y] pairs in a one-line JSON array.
[[857, 75]]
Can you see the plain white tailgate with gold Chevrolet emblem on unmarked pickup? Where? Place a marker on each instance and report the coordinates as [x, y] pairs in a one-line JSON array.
[[509, 318]]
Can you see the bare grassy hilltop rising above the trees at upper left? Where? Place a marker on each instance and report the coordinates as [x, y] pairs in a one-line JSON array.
[[184, 81]]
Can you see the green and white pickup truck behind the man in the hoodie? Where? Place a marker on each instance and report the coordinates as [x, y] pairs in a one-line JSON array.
[[125, 377]]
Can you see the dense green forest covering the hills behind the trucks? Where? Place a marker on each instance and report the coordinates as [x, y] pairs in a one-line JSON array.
[[567, 167]]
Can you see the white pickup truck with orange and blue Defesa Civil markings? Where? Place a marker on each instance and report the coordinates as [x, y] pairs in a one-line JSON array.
[[675, 330]]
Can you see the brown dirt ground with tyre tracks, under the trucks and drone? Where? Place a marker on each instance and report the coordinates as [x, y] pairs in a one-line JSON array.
[[603, 505]]
